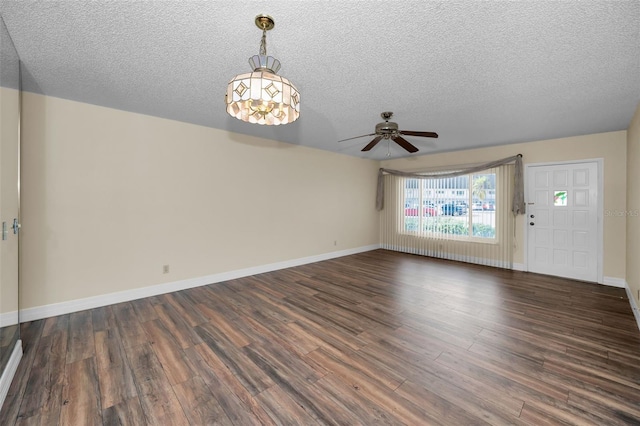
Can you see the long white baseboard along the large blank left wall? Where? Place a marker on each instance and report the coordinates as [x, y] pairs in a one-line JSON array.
[[46, 311]]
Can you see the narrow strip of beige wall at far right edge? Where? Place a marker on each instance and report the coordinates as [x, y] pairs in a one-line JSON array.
[[633, 205]]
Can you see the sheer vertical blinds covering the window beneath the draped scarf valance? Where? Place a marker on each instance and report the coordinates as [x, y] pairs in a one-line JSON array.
[[467, 218]]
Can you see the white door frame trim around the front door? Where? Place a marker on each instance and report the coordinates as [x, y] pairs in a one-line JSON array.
[[599, 208]]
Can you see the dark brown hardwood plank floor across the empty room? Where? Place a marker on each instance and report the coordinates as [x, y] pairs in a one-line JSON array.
[[374, 338]]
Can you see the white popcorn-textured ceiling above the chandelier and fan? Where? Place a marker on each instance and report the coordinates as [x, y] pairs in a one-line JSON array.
[[477, 73]]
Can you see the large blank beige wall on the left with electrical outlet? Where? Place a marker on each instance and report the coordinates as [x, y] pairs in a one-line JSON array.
[[109, 197]]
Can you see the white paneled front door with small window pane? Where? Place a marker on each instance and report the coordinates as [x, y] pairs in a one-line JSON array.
[[562, 220]]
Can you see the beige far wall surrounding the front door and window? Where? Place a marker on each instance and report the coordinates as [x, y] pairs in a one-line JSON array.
[[609, 146]]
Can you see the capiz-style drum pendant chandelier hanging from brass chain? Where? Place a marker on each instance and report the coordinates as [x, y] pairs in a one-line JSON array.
[[262, 96]]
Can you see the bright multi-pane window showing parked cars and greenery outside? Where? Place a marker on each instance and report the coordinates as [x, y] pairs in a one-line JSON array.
[[462, 207]]
